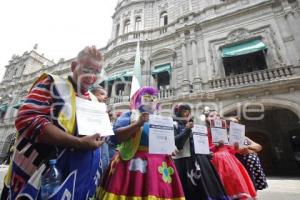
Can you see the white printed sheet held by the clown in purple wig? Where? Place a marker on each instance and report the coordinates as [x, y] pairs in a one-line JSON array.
[[161, 135]]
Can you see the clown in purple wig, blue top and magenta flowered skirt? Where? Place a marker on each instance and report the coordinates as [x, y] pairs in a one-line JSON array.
[[133, 173]]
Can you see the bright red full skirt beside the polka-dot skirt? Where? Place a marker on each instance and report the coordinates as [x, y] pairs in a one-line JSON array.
[[234, 176]]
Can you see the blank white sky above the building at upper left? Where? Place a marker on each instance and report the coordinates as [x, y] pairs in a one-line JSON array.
[[61, 28]]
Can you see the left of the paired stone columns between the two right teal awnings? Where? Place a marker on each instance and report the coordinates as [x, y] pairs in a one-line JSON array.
[[185, 86]]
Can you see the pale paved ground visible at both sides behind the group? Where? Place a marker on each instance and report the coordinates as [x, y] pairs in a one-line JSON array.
[[280, 188]]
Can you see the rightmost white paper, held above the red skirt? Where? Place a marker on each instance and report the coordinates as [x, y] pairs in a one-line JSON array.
[[236, 134]]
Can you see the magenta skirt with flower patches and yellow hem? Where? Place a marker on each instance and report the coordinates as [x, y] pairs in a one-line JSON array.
[[145, 176]]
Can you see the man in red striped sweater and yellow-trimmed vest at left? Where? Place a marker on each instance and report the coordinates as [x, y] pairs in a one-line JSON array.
[[47, 129]]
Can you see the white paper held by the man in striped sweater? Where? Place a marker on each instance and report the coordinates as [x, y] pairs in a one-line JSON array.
[[92, 118]]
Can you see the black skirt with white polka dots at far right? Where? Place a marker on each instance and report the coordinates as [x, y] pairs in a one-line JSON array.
[[252, 164]]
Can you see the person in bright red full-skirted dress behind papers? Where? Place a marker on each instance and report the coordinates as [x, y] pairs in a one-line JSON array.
[[235, 178]]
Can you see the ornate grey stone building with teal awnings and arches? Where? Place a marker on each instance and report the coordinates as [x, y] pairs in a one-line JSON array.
[[241, 57]]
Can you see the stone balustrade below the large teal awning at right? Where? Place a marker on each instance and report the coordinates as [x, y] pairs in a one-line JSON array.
[[252, 77]]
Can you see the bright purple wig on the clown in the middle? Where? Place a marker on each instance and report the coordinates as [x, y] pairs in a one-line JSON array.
[[135, 101]]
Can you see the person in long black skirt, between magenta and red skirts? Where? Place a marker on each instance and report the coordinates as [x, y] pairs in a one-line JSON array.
[[200, 179]]
